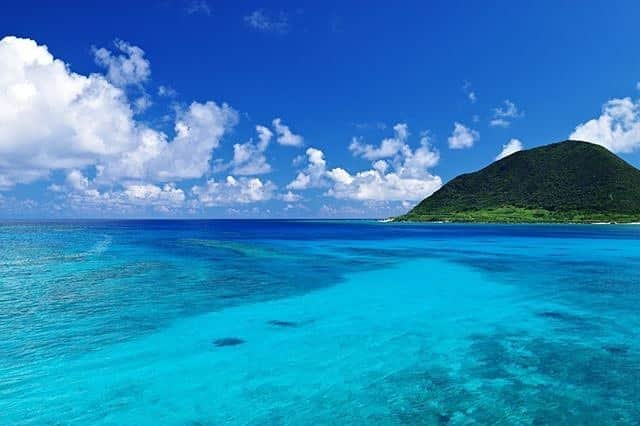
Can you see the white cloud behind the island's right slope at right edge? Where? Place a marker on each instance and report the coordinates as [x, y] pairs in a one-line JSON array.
[[617, 128]]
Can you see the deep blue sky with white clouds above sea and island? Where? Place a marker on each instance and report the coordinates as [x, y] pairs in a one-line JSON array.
[[335, 109]]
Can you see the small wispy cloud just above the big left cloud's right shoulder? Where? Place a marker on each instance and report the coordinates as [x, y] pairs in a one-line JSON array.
[[130, 67]]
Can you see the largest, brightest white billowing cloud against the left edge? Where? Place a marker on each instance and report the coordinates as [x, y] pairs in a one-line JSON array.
[[79, 118]]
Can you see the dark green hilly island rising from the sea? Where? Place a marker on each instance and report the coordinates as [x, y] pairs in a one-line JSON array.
[[565, 182]]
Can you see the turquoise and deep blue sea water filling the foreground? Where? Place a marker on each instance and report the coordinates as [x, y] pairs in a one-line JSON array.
[[275, 322]]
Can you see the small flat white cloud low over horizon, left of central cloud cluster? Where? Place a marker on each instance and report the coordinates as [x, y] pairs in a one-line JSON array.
[[232, 191]]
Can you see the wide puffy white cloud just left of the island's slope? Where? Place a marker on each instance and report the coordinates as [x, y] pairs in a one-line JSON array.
[[401, 178]]
